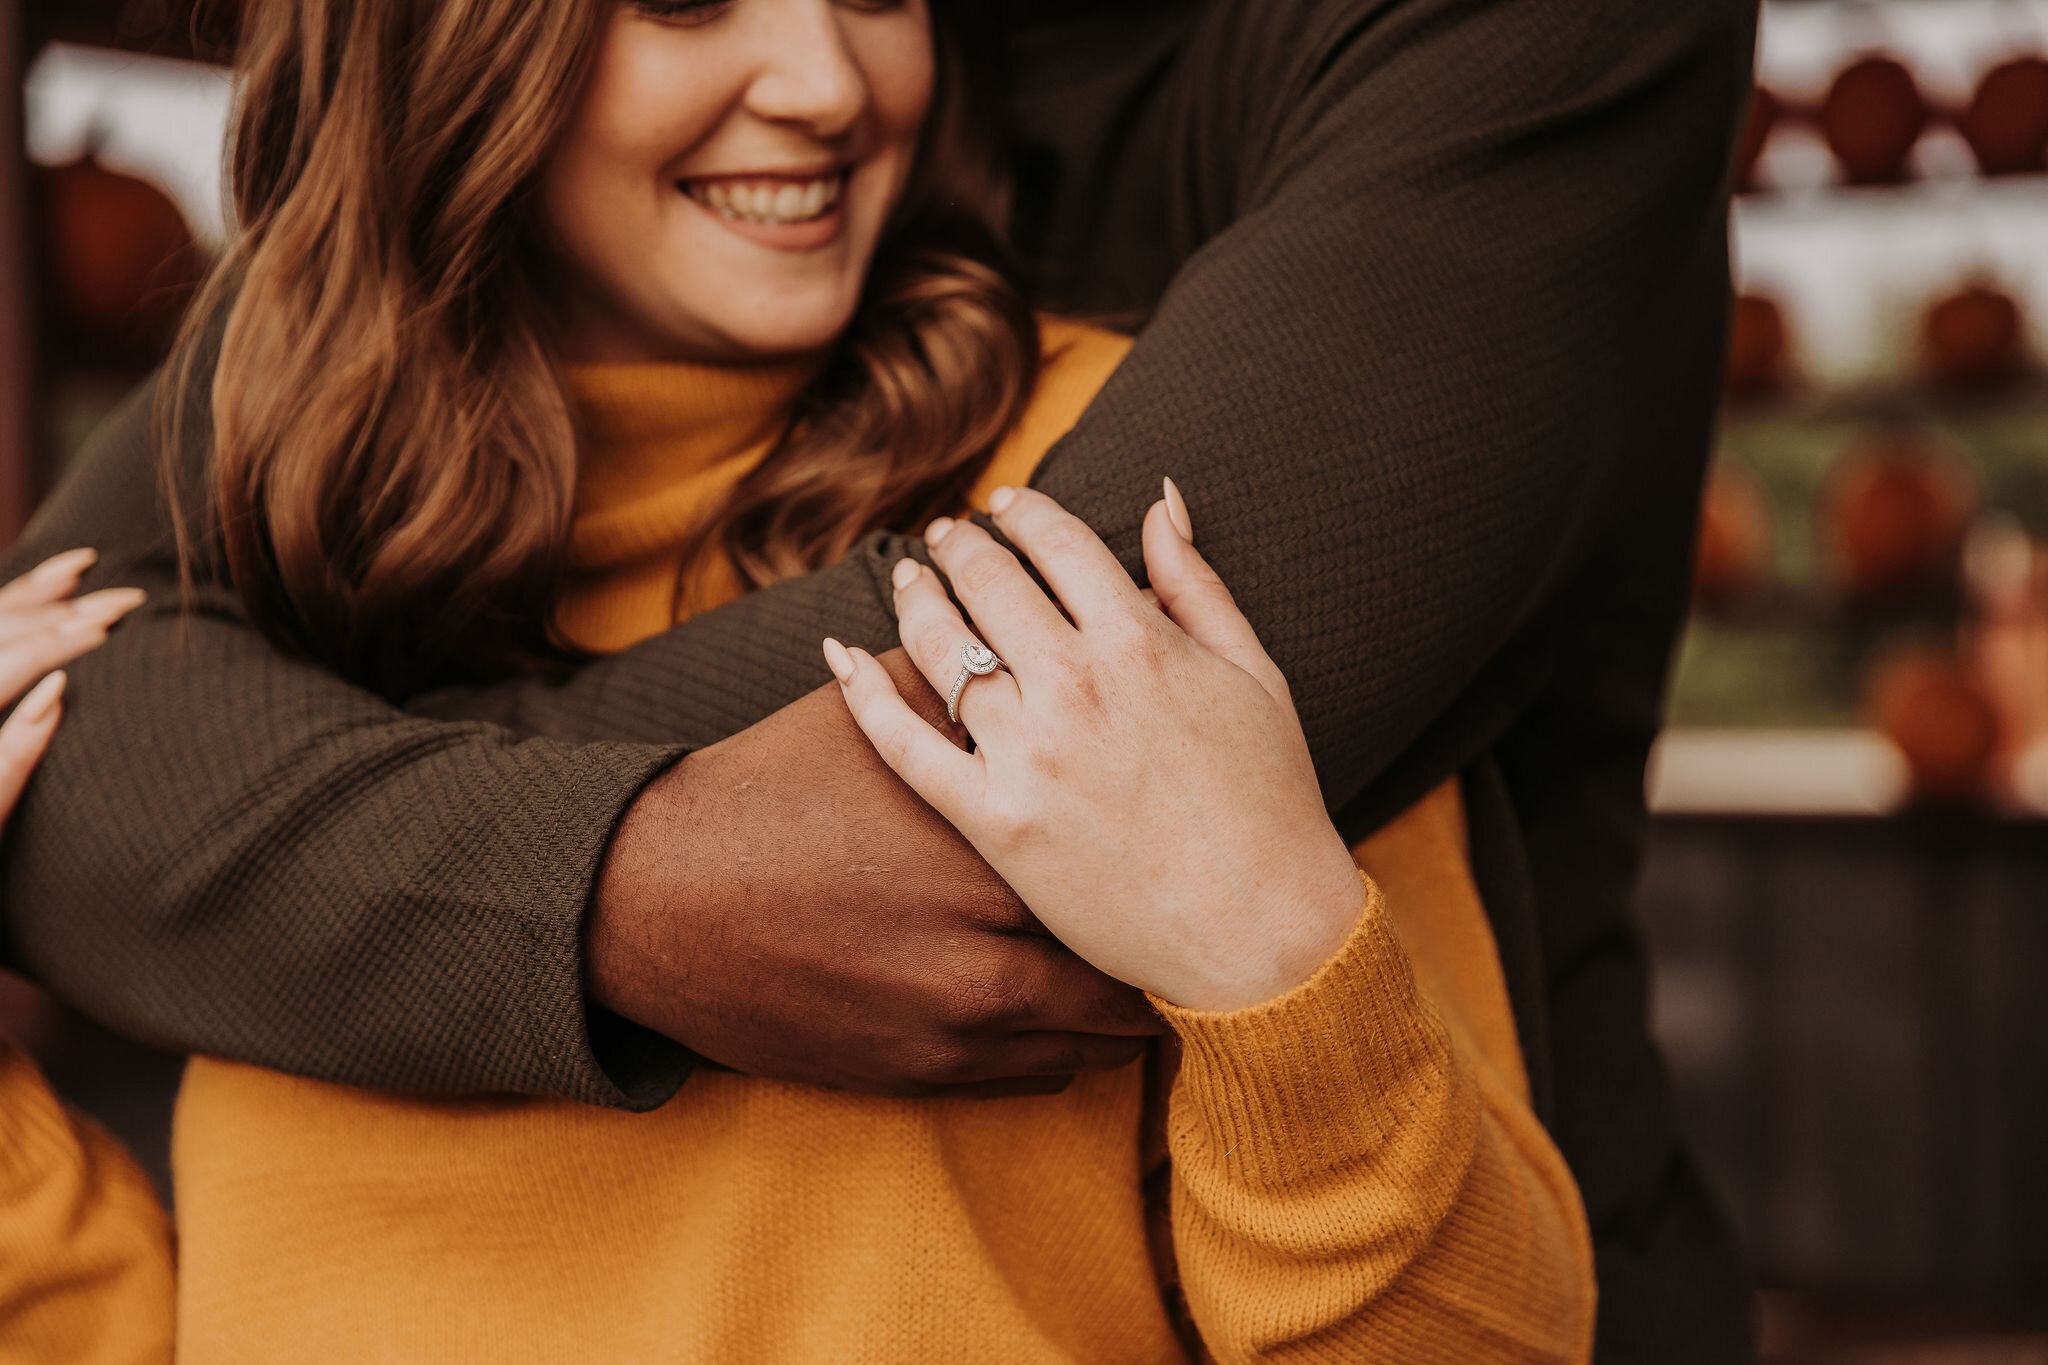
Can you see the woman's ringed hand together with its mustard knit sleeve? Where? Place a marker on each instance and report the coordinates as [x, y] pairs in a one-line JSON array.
[[1357, 1168]]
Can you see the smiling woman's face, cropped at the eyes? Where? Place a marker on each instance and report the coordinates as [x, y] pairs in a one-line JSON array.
[[728, 173]]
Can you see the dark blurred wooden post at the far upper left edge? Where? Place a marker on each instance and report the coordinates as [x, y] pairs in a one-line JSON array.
[[17, 314]]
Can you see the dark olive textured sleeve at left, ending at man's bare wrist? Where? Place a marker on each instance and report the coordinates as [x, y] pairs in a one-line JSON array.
[[232, 850]]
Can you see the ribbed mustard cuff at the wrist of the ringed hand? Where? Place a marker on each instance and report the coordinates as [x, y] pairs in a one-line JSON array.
[[1283, 1092]]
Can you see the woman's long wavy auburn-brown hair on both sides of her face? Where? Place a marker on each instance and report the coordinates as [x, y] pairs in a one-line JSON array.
[[394, 464]]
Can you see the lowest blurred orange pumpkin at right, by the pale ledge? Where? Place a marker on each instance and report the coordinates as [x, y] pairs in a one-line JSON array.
[[1940, 719]]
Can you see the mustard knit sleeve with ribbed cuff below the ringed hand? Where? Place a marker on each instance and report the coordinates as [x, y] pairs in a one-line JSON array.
[[1357, 1182]]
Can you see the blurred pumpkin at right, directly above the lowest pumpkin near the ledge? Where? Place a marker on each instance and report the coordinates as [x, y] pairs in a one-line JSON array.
[[1893, 515]]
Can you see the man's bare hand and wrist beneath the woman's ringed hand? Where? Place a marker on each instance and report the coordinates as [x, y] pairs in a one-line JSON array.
[[783, 906]]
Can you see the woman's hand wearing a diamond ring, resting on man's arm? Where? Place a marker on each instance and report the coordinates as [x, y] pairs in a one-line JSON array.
[[1140, 777]]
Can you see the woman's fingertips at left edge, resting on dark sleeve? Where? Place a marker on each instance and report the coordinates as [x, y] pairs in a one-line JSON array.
[[42, 629]]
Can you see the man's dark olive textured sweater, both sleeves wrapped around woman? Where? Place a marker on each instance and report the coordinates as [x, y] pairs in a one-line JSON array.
[[1435, 300]]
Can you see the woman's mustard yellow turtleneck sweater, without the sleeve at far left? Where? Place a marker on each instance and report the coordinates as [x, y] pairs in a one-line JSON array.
[[1355, 1168]]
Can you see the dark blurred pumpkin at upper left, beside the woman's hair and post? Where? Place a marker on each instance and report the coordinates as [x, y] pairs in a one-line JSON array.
[[122, 257]]
